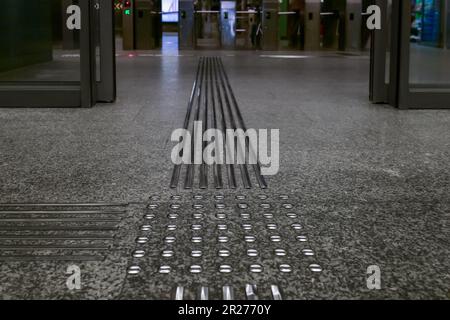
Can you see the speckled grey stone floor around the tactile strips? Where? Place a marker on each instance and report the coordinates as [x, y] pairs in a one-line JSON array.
[[370, 183]]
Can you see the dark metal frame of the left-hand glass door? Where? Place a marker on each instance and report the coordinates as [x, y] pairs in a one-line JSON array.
[[83, 93]]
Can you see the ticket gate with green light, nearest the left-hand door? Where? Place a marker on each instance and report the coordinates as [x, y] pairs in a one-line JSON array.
[[142, 26]]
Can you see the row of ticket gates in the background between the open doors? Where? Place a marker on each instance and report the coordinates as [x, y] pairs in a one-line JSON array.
[[242, 24]]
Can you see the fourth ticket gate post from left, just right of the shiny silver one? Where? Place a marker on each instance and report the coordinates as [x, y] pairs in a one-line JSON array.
[[270, 9]]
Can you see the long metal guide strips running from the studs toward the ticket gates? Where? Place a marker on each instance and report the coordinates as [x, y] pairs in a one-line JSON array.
[[213, 102]]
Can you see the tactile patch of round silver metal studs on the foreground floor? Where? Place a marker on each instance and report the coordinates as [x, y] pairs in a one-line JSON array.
[[217, 246]]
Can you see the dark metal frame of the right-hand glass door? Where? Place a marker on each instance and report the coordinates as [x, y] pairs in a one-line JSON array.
[[396, 40]]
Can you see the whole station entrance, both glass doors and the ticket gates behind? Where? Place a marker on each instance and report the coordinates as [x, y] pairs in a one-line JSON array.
[[75, 42]]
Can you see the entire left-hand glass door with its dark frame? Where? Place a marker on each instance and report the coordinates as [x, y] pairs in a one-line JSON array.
[[48, 53]]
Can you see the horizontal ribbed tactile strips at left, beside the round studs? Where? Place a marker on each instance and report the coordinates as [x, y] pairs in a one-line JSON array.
[[58, 232]]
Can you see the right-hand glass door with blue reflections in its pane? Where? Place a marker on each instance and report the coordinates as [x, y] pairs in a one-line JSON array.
[[425, 58]]
